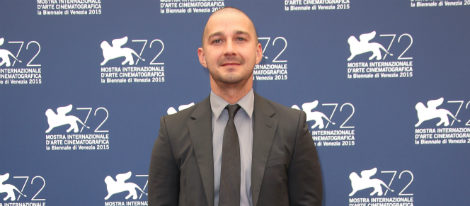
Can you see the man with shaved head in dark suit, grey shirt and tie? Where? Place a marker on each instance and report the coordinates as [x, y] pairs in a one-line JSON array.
[[274, 161]]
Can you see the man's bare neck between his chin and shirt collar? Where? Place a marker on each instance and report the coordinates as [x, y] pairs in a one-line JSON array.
[[231, 93]]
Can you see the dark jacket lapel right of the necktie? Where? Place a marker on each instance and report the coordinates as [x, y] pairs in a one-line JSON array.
[[264, 126]]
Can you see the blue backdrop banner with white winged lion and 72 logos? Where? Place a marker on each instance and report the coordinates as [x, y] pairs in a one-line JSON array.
[[384, 84]]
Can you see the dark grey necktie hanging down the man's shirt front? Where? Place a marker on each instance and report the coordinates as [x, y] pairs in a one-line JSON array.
[[229, 193]]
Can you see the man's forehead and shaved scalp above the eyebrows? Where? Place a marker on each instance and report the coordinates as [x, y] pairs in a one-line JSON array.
[[228, 21]]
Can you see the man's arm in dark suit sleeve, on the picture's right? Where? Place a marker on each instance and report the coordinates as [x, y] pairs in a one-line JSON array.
[[305, 180]]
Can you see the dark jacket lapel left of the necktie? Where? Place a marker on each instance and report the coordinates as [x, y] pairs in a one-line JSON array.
[[200, 131]]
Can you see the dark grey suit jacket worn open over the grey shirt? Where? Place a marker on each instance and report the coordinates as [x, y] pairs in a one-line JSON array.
[[285, 166]]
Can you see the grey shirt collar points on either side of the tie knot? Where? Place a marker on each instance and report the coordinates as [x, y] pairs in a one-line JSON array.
[[218, 104]]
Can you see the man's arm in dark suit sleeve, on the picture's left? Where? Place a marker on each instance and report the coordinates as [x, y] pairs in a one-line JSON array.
[[164, 173]]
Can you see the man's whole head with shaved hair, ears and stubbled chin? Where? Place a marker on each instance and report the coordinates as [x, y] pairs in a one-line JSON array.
[[230, 48]]
